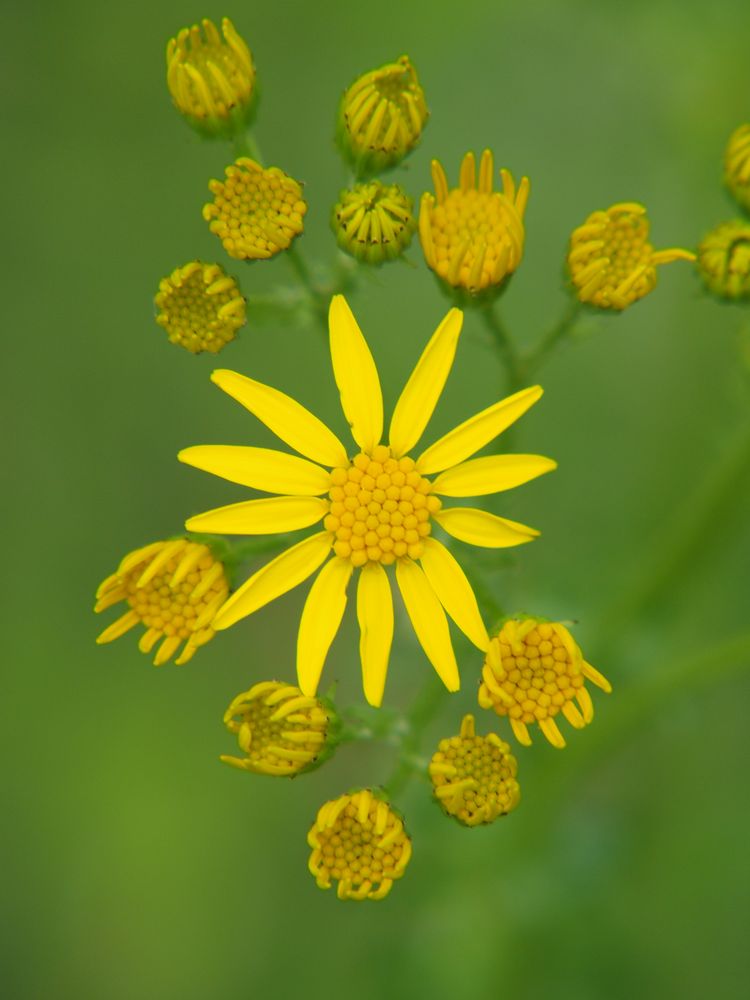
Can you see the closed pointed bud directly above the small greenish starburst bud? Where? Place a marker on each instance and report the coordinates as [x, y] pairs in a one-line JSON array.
[[381, 117]]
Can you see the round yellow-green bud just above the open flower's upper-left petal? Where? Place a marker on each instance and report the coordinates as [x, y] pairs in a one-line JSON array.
[[200, 307]]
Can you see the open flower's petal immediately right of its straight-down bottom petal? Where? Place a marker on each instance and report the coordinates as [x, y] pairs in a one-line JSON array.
[[429, 621]]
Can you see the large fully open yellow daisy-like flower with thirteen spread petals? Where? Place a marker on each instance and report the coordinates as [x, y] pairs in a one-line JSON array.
[[377, 506]]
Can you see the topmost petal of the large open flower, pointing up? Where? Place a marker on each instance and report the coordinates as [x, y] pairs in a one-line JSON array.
[[356, 376]]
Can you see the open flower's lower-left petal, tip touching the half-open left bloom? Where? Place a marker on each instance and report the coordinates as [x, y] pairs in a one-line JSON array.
[[283, 573]]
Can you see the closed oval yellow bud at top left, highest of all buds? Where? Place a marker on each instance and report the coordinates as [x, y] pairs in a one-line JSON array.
[[211, 78]]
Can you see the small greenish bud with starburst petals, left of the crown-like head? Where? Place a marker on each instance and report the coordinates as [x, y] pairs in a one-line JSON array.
[[374, 221]]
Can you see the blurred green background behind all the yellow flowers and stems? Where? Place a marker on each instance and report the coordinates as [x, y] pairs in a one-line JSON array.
[[136, 866]]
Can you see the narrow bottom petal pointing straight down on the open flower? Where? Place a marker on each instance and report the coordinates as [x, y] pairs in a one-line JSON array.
[[375, 615]]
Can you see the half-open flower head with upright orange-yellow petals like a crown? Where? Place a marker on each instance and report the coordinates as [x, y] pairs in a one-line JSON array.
[[472, 236]]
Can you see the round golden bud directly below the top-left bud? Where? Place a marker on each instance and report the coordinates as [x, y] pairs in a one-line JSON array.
[[256, 211]]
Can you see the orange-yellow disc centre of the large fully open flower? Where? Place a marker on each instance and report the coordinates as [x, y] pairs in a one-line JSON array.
[[380, 508]]
